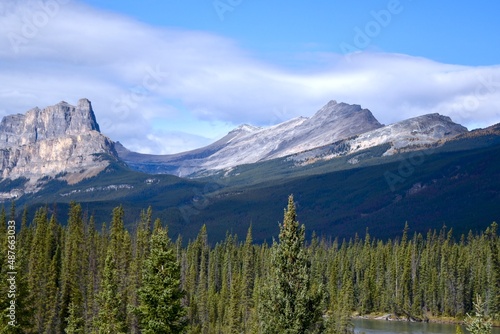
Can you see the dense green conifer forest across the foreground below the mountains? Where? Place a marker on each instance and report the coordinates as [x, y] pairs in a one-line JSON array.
[[80, 278]]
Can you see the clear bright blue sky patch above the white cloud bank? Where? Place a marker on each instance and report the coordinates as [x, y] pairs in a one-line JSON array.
[[453, 32]]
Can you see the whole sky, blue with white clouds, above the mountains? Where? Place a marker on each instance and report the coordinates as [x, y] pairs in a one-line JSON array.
[[167, 76]]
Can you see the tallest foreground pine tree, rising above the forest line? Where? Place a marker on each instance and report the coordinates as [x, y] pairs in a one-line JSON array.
[[287, 305]]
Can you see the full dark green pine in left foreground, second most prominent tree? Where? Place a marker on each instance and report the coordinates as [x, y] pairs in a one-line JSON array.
[[160, 309]]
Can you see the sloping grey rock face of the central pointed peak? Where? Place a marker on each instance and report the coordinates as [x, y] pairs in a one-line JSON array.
[[247, 144]]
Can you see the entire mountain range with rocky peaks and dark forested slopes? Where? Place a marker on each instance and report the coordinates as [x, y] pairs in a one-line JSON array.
[[347, 171]]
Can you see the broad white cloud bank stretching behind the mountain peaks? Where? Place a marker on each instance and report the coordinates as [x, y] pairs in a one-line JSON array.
[[135, 74]]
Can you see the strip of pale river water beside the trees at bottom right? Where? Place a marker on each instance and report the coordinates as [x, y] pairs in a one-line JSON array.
[[390, 327]]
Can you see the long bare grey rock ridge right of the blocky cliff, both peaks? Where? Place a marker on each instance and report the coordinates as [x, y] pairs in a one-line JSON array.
[[332, 123]]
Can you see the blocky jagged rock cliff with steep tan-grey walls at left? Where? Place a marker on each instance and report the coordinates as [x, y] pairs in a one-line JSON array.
[[61, 141]]
